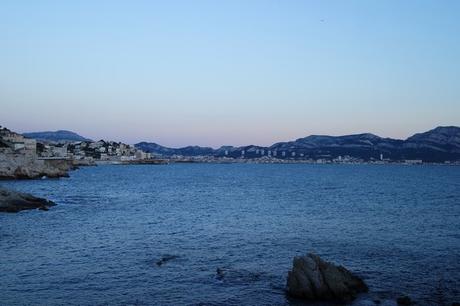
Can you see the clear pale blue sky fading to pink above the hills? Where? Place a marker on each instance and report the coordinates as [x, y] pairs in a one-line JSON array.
[[229, 72]]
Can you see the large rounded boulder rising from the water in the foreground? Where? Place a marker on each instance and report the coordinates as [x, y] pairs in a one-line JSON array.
[[313, 279]]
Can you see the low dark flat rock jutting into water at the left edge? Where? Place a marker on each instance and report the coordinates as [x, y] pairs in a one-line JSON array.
[[13, 201]]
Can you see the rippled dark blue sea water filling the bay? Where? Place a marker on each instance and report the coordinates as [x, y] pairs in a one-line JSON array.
[[396, 226]]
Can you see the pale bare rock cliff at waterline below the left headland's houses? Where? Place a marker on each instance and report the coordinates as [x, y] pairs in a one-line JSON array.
[[23, 166]]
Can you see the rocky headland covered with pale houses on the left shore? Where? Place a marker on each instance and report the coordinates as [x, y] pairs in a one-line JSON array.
[[22, 157]]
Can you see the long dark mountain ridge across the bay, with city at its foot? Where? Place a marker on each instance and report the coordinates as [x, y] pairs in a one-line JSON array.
[[437, 145]]
